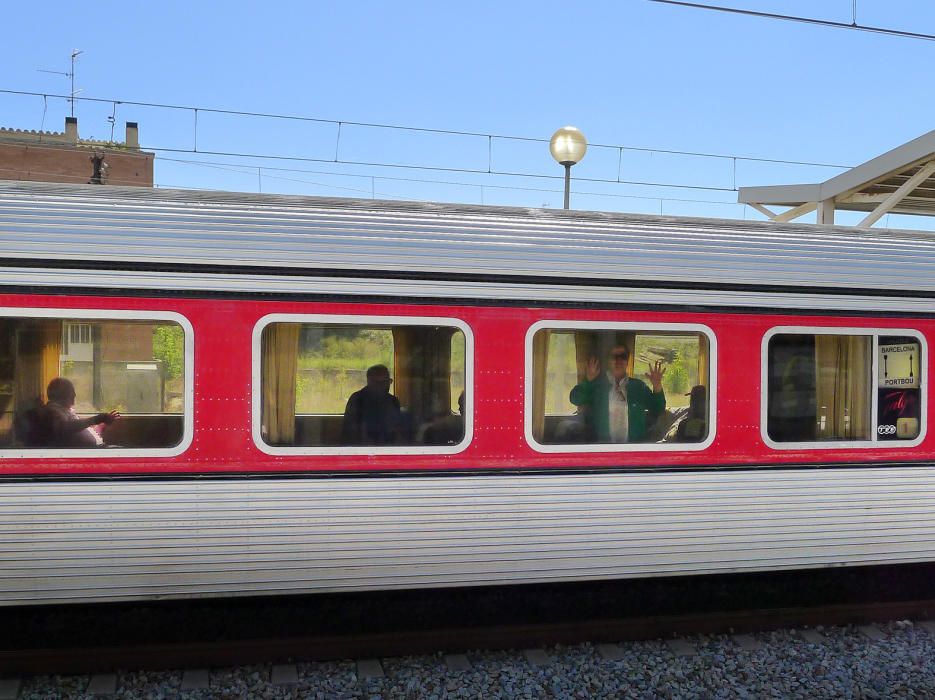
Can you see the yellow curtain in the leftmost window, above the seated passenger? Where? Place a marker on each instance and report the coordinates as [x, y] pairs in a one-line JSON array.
[[38, 352]]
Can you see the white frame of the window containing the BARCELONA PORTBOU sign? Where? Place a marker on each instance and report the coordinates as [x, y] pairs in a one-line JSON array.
[[873, 443]]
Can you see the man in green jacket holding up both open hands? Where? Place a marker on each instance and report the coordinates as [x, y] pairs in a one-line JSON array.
[[618, 408]]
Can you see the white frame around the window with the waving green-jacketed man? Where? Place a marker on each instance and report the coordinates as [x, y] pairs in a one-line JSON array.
[[642, 328]]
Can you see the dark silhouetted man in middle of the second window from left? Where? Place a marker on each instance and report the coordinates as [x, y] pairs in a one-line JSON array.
[[372, 415]]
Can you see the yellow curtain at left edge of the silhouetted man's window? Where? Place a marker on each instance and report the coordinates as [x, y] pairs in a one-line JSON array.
[[280, 349]]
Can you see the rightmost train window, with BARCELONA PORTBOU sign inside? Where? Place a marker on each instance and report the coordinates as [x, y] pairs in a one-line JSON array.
[[835, 386]]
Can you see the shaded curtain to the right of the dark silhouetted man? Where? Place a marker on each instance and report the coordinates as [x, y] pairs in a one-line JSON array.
[[422, 371]]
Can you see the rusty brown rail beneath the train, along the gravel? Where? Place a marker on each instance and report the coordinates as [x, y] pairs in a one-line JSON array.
[[220, 653]]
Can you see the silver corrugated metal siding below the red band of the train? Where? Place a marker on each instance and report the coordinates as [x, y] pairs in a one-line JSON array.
[[124, 540]]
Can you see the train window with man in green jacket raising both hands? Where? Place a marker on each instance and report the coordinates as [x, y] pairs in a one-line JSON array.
[[619, 386]]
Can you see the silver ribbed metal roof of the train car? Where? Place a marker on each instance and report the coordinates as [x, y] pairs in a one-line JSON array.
[[117, 227]]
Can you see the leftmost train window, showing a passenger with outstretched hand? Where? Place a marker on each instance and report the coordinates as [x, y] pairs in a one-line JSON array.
[[66, 375]]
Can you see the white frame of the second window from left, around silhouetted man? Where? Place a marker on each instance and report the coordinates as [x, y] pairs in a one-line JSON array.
[[365, 321]]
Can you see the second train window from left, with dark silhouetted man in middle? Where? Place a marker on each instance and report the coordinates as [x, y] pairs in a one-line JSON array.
[[351, 385]]
